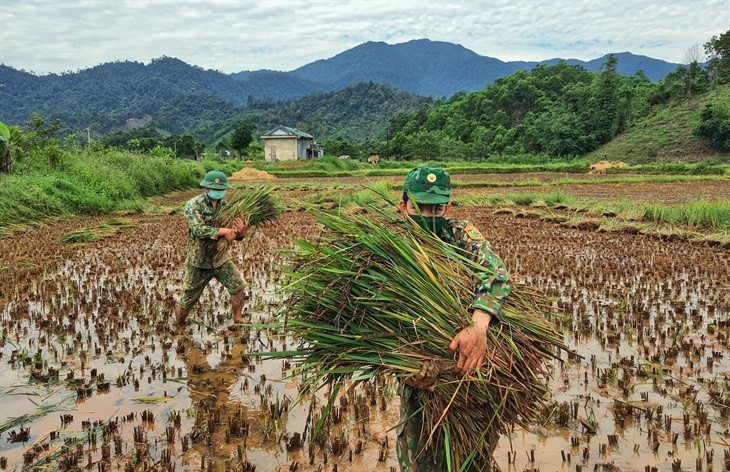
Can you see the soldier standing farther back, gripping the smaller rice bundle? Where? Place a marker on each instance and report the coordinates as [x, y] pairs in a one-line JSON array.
[[204, 262]]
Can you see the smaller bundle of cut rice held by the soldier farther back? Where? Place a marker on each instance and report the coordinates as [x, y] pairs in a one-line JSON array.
[[255, 207]]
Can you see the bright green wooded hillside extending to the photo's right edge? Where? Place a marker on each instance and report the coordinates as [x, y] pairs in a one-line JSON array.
[[561, 110]]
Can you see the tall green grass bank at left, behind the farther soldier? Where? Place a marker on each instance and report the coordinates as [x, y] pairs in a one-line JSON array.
[[93, 183]]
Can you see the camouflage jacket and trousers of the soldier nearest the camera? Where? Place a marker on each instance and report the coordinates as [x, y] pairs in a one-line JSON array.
[[489, 290]]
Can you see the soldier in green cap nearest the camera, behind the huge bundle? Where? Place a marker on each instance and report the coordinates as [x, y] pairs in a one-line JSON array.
[[426, 197]]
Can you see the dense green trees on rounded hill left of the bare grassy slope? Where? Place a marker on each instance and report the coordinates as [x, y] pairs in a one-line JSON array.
[[560, 110]]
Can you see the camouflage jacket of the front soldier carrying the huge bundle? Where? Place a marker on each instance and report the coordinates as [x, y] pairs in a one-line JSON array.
[[493, 286]]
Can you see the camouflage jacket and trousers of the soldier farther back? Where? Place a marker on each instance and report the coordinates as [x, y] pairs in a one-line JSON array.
[[203, 261]]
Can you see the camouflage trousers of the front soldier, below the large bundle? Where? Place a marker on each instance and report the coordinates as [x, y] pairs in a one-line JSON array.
[[411, 437]]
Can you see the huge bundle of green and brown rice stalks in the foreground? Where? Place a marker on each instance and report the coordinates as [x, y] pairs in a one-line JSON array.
[[377, 295]]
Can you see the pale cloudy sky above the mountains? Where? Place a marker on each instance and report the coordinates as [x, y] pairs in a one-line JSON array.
[[234, 35]]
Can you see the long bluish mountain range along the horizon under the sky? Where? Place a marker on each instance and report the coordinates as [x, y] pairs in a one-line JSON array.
[[178, 97]]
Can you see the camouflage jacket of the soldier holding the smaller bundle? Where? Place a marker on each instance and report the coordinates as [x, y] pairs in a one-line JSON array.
[[202, 236]]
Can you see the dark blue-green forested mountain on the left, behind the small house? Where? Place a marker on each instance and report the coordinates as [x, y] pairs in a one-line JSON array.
[[167, 93]]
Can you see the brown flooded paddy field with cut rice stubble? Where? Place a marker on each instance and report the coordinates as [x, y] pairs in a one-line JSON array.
[[89, 356]]
